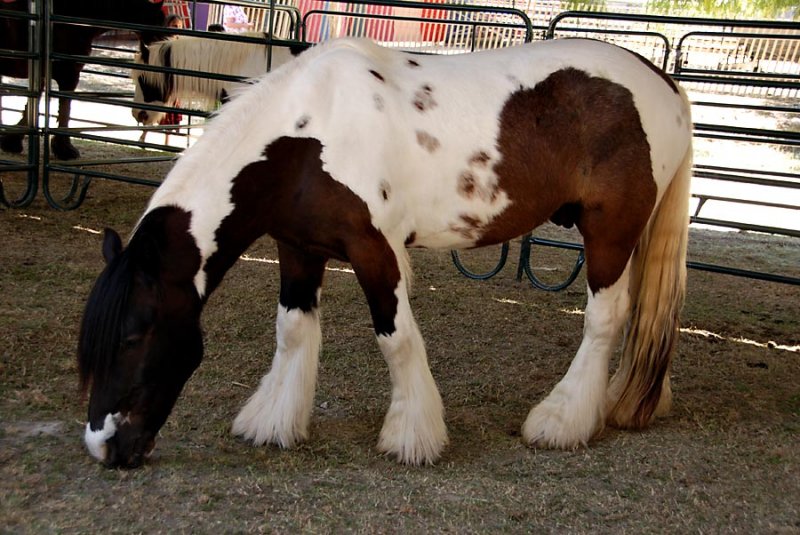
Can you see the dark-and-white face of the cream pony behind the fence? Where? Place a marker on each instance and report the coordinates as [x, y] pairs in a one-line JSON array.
[[151, 87]]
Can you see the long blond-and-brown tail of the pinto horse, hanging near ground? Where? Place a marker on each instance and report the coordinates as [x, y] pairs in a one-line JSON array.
[[640, 389]]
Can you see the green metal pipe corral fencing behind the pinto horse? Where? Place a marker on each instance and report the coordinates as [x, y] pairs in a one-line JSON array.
[[738, 68]]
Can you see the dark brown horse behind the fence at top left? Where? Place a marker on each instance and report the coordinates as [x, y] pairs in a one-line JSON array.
[[68, 39]]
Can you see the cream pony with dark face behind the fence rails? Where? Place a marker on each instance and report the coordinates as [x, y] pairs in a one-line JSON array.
[[232, 58]]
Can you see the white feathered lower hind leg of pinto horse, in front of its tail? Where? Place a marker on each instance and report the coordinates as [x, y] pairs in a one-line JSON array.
[[575, 410]]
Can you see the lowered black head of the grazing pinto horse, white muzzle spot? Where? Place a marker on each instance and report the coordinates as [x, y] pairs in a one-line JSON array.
[[140, 341]]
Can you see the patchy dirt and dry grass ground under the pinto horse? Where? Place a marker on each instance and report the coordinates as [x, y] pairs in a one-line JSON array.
[[726, 459]]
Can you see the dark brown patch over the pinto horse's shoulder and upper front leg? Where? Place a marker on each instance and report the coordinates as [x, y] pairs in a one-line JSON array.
[[266, 202]]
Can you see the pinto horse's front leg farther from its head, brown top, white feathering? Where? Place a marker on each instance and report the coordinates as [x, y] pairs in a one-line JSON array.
[[413, 431]]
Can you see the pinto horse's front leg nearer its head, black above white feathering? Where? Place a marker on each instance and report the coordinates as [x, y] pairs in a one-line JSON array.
[[280, 410]]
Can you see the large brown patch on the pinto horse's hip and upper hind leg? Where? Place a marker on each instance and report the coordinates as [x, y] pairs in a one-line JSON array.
[[573, 148]]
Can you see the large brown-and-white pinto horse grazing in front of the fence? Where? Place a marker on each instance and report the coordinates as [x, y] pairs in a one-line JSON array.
[[356, 152]]
